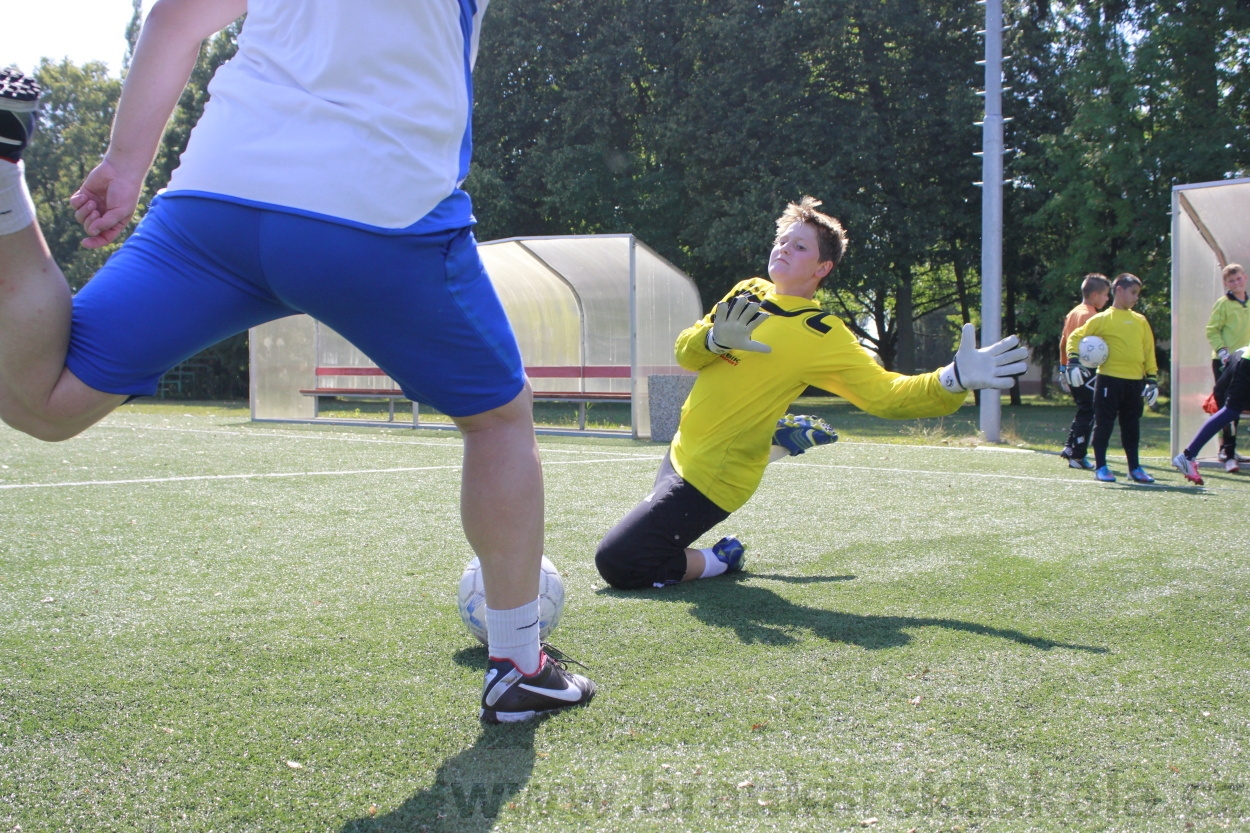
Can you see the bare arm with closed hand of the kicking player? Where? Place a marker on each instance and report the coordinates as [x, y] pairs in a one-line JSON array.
[[164, 58]]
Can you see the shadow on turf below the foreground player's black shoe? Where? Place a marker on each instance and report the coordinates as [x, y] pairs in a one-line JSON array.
[[469, 790]]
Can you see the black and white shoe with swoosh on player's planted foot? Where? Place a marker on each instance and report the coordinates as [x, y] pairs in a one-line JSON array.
[[508, 696]]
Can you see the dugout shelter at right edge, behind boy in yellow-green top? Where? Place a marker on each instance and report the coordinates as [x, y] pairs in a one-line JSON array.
[[1211, 230]]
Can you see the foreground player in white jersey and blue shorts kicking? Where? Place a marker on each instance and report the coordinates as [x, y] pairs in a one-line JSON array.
[[323, 179]]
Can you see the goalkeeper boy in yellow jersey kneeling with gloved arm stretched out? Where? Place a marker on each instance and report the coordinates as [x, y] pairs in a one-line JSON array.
[[763, 346]]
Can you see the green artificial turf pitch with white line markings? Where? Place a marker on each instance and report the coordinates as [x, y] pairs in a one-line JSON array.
[[214, 625]]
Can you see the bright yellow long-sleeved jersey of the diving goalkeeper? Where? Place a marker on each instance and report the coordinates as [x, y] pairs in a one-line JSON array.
[[723, 441]]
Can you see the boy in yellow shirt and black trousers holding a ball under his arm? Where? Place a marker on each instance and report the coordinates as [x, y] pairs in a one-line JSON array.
[[1126, 381]]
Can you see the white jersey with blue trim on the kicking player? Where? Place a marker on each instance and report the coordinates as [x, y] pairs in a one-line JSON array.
[[356, 111]]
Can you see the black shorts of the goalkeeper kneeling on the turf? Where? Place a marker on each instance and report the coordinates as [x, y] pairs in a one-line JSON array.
[[648, 548]]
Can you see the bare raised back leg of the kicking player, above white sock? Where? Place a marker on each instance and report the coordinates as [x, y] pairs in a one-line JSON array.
[[38, 395]]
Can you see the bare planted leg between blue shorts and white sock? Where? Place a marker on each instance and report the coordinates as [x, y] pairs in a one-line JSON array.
[[502, 501]]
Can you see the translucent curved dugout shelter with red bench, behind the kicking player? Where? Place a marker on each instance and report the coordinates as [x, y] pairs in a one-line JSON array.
[[594, 316]]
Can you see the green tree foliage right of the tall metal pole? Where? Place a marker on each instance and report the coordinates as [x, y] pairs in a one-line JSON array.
[[1114, 104]]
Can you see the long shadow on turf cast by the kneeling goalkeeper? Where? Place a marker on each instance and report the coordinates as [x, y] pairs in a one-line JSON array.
[[758, 615]]
